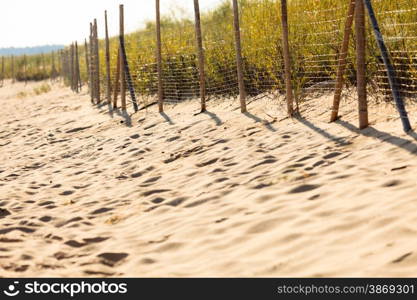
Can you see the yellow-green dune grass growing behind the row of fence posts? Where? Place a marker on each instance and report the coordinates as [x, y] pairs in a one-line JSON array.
[[316, 32]]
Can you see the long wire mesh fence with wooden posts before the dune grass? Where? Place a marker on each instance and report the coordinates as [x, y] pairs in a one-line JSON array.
[[298, 50]]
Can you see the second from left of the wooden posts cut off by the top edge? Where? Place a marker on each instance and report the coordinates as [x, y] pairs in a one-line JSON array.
[[200, 50]]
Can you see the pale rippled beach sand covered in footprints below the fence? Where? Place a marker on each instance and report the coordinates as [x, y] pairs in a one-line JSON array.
[[217, 194]]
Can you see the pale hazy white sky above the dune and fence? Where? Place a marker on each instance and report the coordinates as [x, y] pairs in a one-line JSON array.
[[39, 22]]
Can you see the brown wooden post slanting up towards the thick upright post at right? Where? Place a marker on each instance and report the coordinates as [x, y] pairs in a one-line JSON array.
[[342, 62]]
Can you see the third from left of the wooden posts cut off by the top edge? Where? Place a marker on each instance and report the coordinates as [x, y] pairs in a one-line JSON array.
[[239, 60]]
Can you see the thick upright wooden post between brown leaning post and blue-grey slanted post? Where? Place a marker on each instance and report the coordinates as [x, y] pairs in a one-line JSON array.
[[361, 63]]
